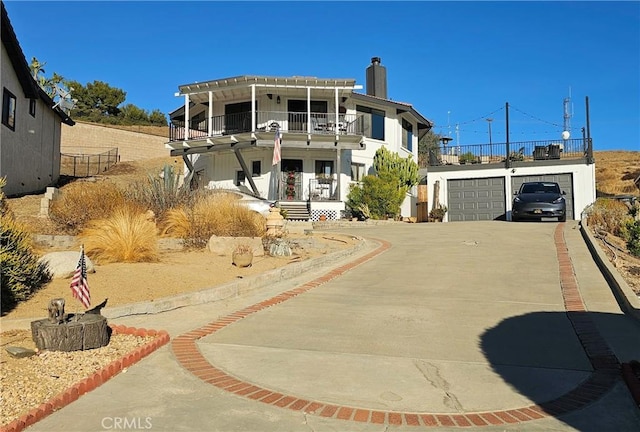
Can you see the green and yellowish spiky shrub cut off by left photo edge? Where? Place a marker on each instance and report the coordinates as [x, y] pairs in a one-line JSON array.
[[21, 274]]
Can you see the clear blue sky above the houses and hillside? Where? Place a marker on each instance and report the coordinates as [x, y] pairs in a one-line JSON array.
[[456, 62]]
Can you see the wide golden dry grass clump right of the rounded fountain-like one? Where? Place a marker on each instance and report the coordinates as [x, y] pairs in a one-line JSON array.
[[213, 214]]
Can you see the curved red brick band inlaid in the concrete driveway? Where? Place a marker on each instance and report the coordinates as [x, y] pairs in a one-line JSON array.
[[604, 362]]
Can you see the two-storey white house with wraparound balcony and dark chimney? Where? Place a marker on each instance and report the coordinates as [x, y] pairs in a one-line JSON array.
[[328, 134]]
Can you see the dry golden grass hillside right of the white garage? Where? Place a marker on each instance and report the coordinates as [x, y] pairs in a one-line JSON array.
[[616, 172]]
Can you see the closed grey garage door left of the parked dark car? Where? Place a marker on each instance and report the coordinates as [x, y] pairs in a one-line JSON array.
[[476, 199]]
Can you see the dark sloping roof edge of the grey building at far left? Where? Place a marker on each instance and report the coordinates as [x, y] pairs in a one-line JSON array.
[[29, 85]]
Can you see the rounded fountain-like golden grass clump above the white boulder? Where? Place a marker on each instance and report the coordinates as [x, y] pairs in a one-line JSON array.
[[127, 235]]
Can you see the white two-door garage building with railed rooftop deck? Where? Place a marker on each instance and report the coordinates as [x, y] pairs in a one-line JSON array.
[[478, 181]]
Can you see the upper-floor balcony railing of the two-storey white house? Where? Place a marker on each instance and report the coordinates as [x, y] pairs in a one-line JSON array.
[[288, 122]]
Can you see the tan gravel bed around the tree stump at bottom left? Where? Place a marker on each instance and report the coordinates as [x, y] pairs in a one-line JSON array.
[[26, 383]]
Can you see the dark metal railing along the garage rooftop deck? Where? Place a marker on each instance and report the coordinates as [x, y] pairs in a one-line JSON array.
[[496, 153]]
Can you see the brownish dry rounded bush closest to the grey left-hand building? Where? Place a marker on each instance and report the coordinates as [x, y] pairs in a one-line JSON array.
[[80, 202]]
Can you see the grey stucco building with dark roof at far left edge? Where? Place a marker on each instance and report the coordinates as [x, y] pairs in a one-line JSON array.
[[31, 122]]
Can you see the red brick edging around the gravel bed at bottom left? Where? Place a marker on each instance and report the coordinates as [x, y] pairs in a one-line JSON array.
[[95, 380]]
